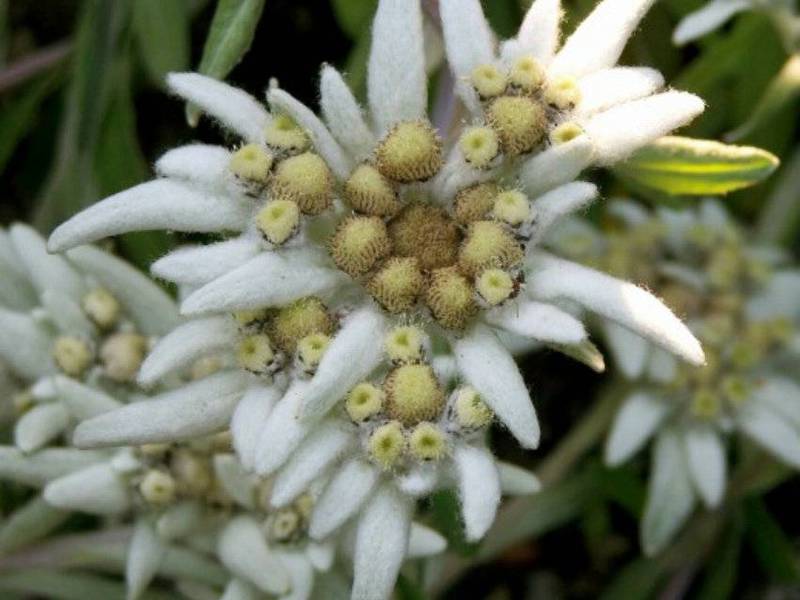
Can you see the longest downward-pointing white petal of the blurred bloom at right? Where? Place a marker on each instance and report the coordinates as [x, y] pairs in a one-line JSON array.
[[670, 496]]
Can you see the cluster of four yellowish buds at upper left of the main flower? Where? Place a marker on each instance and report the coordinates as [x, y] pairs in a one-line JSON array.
[[286, 172]]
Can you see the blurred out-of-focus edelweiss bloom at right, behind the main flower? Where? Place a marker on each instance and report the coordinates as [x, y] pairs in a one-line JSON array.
[[741, 302]]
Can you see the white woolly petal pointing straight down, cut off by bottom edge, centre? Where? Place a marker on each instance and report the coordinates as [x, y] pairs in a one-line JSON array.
[[381, 543]]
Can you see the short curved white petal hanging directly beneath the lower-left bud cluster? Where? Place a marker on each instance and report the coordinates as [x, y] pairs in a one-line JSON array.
[[248, 419]]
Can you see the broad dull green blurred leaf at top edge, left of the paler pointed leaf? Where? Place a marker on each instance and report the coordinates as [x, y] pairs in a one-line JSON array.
[[161, 31]]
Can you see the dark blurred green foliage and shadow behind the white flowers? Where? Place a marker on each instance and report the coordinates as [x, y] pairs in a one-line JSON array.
[[84, 113]]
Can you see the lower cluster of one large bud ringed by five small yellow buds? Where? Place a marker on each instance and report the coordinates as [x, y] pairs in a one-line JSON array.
[[408, 418]]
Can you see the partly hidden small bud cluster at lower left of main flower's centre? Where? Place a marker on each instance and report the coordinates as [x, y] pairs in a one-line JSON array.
[[269, 338]]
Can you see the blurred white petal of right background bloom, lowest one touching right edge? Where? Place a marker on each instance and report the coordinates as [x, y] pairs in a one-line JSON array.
[[771, 430]]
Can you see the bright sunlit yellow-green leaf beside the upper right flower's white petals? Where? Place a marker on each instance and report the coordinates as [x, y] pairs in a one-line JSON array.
[[685, 166]]
